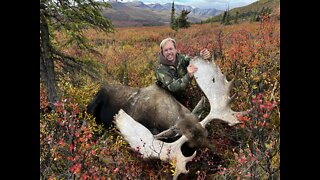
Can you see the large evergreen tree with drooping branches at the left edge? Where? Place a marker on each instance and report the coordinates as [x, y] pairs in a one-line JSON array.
[[71, 18]]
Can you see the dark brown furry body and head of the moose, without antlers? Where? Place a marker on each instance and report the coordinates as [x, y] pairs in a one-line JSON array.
[[152, 106]]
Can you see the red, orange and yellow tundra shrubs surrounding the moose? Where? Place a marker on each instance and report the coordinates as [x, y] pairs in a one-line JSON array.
[[74, 146]]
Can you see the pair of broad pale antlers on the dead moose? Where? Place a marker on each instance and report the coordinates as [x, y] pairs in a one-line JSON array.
[[216, 88]]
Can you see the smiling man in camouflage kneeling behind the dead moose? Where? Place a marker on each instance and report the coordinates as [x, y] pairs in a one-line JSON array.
[[174, 72]]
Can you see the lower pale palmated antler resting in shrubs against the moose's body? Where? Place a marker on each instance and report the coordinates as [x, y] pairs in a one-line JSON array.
[[141, 139]]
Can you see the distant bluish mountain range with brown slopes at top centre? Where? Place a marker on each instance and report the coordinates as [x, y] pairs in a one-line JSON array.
[[139, 14]]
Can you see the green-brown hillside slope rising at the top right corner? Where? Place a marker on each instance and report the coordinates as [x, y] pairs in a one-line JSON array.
[[247, 12]]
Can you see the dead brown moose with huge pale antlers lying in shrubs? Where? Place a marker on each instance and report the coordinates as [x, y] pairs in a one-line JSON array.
[[147, 116]]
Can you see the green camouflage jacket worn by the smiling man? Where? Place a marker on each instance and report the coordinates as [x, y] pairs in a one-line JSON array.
[[173, 77]]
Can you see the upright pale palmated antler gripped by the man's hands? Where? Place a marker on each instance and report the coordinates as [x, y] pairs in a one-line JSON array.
[[217, 88]]
